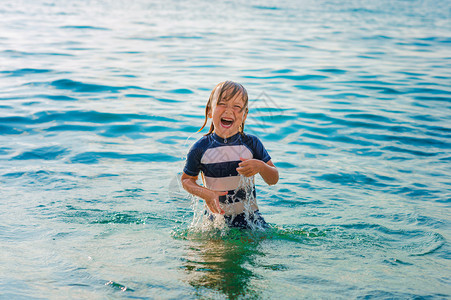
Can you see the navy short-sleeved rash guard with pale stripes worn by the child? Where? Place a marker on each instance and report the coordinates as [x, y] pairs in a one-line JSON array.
[[218, 158]]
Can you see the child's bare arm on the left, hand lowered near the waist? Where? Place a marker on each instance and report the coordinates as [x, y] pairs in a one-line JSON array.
[[211, 197]]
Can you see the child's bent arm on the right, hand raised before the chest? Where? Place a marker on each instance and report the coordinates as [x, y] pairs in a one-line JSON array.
[[250, 167]]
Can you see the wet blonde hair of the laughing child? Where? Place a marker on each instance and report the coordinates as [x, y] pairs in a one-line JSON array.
[[225, 91]]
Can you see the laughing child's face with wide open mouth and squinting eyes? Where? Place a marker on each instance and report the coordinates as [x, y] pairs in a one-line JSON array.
[[228, 116]]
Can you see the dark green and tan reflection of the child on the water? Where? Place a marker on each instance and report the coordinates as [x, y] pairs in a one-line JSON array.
[[223, 265]]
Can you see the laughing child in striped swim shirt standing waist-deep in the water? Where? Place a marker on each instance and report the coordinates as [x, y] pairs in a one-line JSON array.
[[223, 154]]
